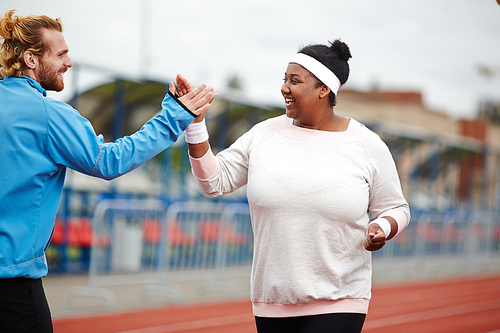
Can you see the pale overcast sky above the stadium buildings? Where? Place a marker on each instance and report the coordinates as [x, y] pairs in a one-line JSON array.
[[428, 46]]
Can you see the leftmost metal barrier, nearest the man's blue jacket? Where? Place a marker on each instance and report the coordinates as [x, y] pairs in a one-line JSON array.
[[119, 253]]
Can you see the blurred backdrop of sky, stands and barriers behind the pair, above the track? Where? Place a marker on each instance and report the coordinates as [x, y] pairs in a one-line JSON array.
[[425, 75]]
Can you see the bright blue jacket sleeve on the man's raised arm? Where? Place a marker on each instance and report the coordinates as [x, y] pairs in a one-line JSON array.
[[72, 141]]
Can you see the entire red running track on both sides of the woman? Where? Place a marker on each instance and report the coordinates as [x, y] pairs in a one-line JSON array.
[[458, 306]]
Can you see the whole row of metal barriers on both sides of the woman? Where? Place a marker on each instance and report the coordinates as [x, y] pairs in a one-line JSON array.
[[149, 244]]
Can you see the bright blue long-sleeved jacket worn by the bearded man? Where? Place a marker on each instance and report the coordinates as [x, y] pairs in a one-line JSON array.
[[39, 138]]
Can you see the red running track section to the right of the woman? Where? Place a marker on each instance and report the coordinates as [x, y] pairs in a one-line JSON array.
[[465, 305]]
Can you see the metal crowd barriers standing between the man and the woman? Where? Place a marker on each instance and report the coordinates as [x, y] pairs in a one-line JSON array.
[[146, 243]]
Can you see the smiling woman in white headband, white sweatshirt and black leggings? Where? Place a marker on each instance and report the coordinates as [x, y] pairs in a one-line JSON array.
[[314, 180]]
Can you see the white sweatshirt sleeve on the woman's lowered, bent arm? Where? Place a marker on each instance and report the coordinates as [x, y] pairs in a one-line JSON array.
[[386, 195]]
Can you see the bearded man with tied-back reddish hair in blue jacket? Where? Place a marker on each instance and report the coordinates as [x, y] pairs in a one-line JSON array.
[[41, 137]]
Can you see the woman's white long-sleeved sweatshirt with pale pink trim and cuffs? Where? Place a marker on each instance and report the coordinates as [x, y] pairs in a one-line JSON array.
[[311, 195]]
